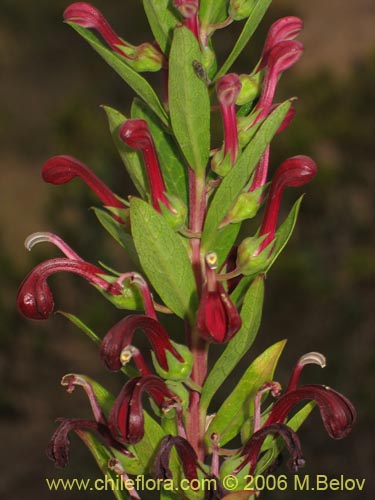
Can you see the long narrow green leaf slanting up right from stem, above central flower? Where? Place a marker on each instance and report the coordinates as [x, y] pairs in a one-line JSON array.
[[232, 185]]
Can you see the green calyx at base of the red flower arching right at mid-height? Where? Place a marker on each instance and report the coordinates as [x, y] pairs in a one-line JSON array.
[[248, 259]]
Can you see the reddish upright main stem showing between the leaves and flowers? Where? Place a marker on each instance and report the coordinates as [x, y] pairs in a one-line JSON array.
[[195, 422]]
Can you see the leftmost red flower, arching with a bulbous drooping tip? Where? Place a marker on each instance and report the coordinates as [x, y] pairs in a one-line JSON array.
[[35, 299]]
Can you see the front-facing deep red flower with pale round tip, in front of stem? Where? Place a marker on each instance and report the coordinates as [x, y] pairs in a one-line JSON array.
[[218, 319]]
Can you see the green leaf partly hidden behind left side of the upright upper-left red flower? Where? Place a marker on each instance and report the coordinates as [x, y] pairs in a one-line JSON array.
[[131, 158]]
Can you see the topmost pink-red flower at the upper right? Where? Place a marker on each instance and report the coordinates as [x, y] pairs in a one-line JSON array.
[[286, 28]]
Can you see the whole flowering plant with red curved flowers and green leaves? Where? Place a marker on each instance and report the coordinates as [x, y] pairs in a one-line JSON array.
[[182, 234]]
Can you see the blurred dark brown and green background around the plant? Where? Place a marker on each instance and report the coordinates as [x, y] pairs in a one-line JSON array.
[[319, 293]]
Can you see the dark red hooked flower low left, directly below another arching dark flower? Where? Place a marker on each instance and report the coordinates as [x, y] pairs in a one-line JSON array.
[[126, 420]]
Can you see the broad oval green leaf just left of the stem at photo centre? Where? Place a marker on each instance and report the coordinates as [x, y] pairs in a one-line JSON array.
[[163, 258]]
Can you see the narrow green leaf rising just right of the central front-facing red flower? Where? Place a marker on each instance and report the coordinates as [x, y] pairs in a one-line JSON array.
[[251, 315]]
